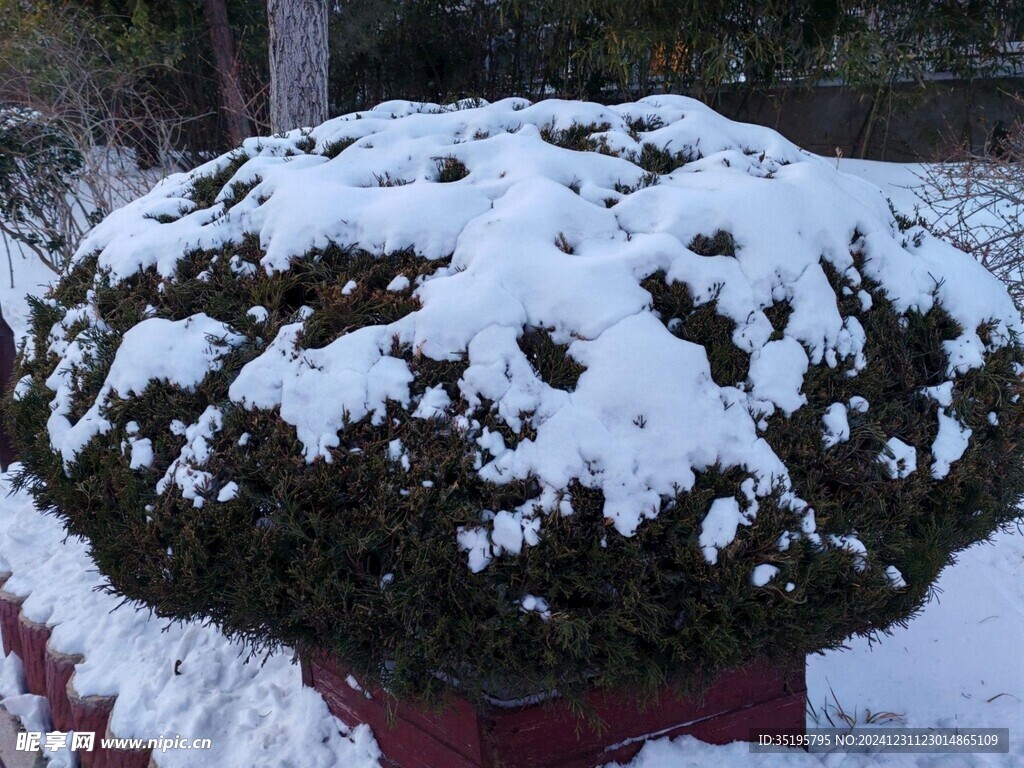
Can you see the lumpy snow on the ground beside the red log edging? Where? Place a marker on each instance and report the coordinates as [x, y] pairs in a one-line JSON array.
[[255, 714]]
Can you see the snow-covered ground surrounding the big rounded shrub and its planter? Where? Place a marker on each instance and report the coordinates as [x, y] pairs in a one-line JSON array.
[[957, 665]]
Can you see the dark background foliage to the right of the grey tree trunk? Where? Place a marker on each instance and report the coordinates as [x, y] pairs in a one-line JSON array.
[[604, 51]]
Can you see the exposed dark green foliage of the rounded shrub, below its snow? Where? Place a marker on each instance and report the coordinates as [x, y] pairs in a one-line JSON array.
[[359, 557]]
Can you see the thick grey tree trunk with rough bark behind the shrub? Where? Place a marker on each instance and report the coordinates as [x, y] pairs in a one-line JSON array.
[[298, 63]]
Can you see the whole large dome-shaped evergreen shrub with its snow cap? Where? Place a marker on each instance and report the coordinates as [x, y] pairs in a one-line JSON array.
[[519, 398]]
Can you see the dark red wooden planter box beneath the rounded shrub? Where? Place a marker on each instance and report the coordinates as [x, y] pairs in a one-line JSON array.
[[739, 704]]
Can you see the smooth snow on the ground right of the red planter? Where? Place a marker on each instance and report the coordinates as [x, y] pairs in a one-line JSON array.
[[958, 665]]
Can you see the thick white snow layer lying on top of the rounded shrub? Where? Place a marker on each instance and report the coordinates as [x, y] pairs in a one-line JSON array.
[[546, 237]]
